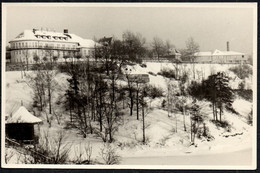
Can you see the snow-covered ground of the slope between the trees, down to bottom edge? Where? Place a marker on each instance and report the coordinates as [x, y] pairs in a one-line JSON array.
[[164, 146]]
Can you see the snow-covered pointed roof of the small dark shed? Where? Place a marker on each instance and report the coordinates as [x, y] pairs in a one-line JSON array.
[[22, 115]]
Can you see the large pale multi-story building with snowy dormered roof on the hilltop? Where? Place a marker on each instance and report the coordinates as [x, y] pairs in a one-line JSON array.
[[38, 45]]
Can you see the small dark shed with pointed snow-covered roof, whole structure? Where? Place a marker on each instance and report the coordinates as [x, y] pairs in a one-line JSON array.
[[20, 125]]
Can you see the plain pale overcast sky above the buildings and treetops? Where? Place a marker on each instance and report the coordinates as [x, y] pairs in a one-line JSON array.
[[210, 27]]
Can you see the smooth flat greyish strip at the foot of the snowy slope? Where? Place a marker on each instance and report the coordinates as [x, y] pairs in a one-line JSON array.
[[237, 158]]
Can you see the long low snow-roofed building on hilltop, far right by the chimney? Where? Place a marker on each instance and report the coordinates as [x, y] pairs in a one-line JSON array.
[[220, 57]]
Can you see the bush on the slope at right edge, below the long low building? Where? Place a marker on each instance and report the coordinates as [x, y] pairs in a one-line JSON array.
[[242, 71]]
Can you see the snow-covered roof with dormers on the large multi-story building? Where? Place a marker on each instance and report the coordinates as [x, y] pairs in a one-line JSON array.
[[41, 35]]
